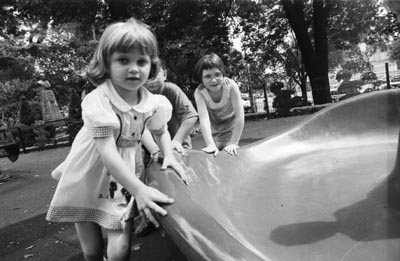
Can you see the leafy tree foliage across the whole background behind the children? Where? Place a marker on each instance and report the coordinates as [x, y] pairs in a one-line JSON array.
[[54, 39]]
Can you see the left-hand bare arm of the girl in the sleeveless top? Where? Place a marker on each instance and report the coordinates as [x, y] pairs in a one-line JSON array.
[[205, 124]]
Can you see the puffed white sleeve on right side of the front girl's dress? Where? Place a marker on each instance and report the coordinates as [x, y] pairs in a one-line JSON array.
[[158, 122]]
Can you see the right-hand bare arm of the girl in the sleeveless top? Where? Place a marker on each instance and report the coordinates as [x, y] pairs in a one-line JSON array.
[[238, 109]]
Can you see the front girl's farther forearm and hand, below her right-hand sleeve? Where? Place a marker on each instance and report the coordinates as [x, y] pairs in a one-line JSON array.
[[164, 141]]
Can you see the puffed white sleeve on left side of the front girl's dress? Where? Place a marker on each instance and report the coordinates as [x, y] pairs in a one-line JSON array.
[[98, 115]]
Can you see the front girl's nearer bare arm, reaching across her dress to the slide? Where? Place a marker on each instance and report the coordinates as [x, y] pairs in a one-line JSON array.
[[146, 197]]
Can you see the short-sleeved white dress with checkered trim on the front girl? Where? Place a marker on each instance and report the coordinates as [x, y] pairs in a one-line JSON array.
[[86, 191]]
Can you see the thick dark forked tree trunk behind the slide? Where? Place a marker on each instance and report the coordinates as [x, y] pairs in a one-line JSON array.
[[315, 59]]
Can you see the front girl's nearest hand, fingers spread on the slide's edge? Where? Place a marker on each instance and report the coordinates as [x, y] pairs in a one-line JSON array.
[[147, 199]]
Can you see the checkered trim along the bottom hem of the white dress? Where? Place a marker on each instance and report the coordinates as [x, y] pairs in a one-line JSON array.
[[75, 214]]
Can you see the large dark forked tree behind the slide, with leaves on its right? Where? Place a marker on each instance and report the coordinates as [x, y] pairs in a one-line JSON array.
[[333, 20]]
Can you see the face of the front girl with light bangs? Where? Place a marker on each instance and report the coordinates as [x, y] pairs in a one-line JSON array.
[[129, 70]]
